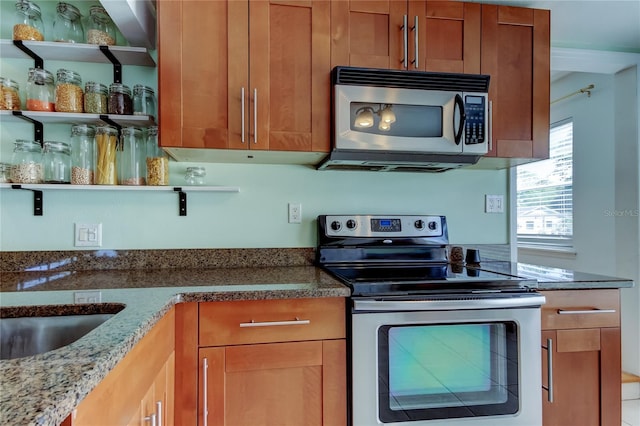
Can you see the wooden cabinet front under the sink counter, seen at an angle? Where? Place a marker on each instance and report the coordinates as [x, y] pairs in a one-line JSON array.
[[139, 387]]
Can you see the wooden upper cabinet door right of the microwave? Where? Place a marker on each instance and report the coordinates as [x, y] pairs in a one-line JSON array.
[[516, 53]]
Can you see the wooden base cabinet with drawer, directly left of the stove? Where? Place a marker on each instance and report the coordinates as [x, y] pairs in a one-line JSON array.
[[262, 362]]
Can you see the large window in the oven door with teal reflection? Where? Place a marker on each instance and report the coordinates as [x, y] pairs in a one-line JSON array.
[[447, 371]]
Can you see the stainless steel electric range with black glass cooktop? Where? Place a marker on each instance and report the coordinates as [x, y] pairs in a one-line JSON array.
[[431, 342]]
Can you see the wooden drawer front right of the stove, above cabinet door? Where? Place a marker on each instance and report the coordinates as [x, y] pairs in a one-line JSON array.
[[581, 309]]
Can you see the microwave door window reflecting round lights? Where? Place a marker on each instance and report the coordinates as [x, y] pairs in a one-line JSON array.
[[415, 121]]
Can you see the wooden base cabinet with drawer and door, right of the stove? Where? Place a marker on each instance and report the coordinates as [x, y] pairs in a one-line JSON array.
[[581, 358]]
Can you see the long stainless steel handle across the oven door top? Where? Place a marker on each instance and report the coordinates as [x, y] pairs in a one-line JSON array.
[[377, 305]]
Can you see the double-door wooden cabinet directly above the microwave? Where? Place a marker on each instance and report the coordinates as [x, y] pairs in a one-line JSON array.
[[440, 36]]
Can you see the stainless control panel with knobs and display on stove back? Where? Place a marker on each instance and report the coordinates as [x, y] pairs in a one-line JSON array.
[[379, 226]]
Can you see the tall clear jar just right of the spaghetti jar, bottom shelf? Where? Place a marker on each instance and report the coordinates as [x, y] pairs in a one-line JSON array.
[[131, 160]]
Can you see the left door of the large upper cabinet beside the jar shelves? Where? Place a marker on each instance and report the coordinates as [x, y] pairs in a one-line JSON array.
[[202, 60]]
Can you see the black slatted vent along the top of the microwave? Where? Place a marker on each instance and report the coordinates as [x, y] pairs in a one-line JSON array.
[[411, 79]]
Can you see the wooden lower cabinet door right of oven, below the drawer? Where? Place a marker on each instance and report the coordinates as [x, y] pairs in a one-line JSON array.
[[584, 377]]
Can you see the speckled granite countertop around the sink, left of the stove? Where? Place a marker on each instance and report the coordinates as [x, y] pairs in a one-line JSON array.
[[44, 389]]
